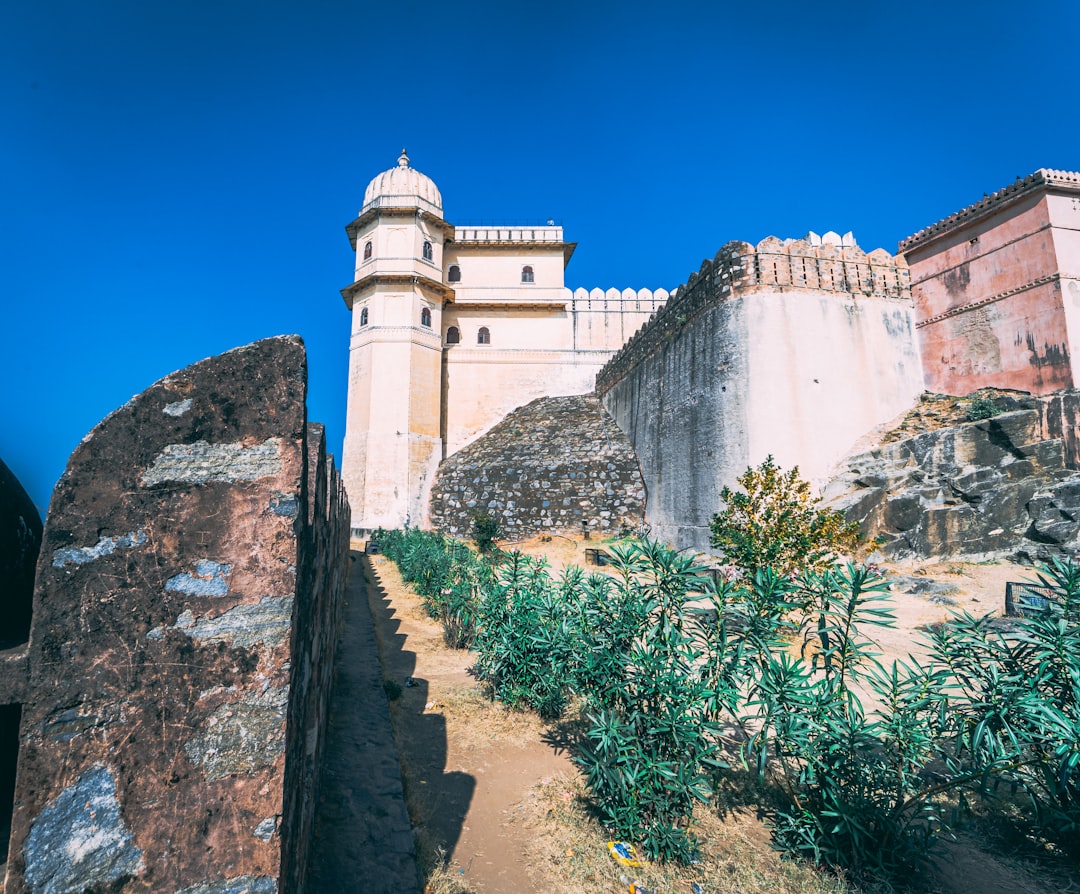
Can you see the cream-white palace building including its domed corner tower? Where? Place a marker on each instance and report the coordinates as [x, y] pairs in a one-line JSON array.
[[453, 328]]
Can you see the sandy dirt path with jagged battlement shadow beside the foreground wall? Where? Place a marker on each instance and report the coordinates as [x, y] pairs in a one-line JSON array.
[[471, 777]]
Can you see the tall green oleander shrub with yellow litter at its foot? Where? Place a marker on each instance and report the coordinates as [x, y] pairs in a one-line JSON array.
[[652, 746]]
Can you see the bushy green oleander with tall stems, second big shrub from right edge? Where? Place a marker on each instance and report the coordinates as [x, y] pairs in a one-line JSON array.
[[852, 780]]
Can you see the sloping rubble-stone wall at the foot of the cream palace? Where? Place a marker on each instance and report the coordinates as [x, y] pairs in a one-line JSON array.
[[547, 468]]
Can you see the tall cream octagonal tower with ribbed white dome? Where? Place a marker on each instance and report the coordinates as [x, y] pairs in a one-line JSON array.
[[394, 425]]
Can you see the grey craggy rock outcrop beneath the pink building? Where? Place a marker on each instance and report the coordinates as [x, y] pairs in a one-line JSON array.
[[993, 487]]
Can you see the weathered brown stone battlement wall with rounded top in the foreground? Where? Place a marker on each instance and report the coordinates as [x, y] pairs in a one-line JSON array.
[[186, 602]]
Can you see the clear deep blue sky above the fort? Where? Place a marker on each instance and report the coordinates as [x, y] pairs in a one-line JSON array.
[[177, 178]]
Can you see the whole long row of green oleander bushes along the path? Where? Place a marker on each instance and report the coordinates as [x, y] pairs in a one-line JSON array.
[[682, 675]]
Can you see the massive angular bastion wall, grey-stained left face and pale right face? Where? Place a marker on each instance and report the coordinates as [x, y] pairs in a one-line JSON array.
[[785, 348]]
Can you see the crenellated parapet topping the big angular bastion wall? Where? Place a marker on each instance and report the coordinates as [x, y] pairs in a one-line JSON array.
[[831, 264]]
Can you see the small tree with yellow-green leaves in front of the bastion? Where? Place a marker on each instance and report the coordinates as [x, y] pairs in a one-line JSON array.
[[776, 523]]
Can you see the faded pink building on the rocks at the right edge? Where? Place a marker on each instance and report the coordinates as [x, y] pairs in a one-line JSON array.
[[997, 290]]
